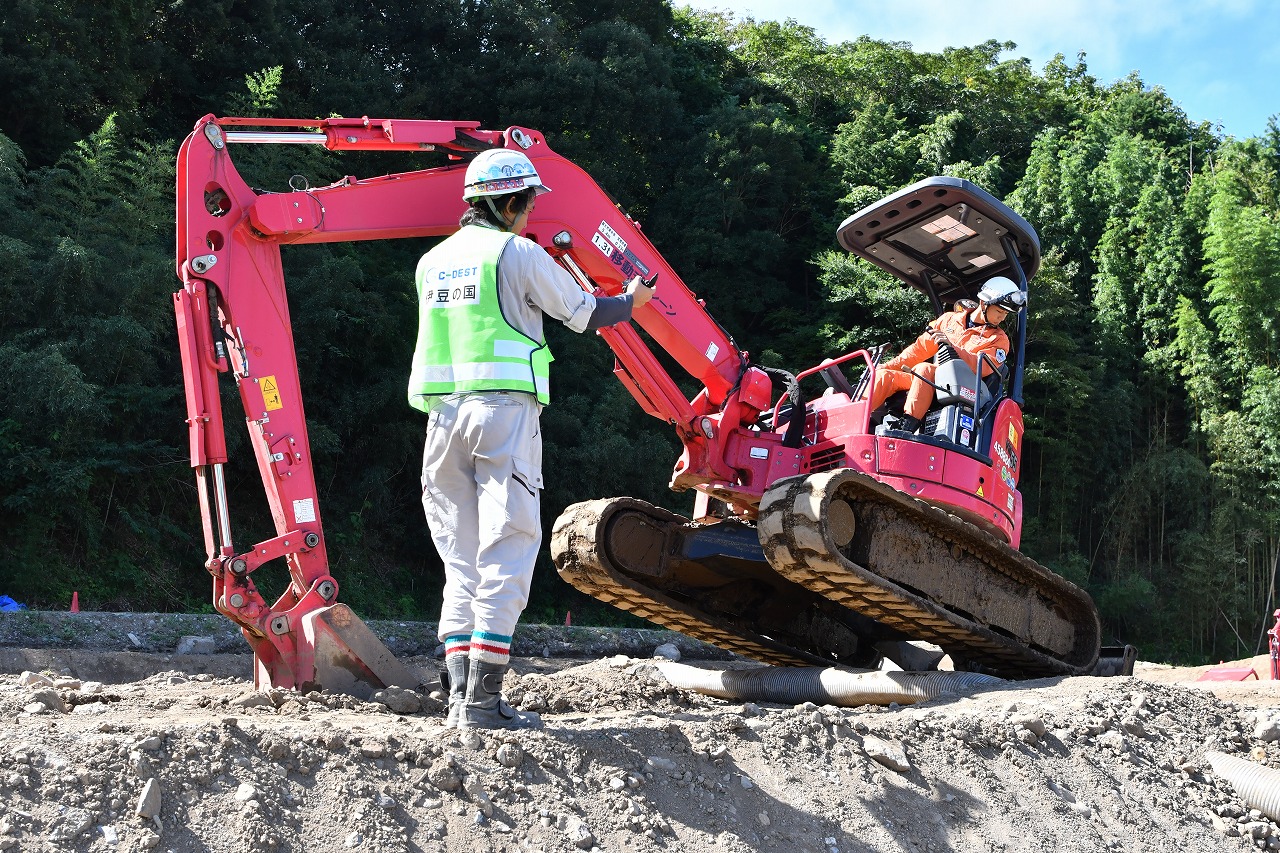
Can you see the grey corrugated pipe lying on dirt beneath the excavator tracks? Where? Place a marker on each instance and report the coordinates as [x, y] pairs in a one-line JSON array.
[[824, 686]]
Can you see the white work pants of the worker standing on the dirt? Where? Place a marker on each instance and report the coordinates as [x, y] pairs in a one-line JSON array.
[[482, 481]]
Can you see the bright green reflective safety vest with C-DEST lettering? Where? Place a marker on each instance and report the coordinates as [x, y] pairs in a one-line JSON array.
[[464, 341]]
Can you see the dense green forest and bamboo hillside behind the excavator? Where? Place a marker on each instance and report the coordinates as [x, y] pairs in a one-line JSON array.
[[1153, 399]]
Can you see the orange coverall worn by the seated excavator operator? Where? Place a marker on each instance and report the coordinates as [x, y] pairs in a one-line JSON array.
[[970, 339]]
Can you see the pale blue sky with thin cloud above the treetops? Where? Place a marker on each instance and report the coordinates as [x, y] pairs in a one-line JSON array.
[[1218, 60]]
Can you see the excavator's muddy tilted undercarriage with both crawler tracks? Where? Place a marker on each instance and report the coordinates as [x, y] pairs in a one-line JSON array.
[[838, 571]]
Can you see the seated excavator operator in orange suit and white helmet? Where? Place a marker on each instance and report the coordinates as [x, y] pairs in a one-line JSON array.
[[968, 332]]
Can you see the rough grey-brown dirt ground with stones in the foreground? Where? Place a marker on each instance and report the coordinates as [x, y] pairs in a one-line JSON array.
[[196, 761]]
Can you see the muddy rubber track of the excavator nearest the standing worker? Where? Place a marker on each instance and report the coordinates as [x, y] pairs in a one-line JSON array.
[[582, 562]]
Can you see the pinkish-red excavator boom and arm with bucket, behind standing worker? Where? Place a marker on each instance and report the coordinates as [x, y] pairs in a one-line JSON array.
[[234, 320]]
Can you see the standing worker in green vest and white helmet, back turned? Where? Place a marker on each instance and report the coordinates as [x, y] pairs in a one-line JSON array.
[[481, 372]]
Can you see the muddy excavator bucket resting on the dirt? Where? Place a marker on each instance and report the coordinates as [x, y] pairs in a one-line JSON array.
[[346, 658]]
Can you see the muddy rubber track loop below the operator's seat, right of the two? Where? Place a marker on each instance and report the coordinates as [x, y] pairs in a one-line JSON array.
[[797, 546]]
